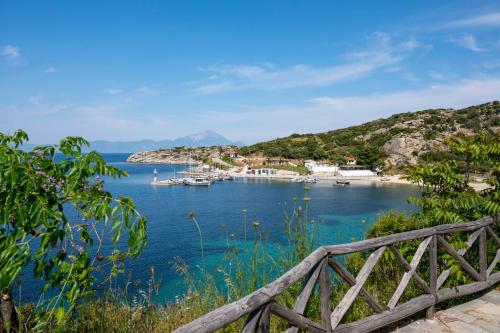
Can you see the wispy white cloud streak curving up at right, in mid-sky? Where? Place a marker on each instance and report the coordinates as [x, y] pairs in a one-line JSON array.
[[380, 53]]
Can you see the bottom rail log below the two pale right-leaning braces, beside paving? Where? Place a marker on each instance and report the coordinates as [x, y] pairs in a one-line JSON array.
[[385, 318]]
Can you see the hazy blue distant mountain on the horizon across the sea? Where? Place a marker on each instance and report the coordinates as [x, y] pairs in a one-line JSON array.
[[202, 139]]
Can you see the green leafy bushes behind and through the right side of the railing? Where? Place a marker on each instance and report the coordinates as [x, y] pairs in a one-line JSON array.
[[446, 198]]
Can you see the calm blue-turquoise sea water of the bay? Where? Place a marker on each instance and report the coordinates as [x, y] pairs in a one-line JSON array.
[[345, 214]]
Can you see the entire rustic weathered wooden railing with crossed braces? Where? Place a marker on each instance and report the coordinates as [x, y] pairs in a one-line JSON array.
[[314, 269]]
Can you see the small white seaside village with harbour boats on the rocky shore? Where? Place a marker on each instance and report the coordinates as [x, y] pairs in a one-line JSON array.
[[207, 165]]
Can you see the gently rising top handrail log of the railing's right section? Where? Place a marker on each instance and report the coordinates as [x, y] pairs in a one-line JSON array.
[[409, 235]]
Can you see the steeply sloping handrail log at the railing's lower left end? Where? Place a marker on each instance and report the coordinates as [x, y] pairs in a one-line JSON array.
[[231, 312]]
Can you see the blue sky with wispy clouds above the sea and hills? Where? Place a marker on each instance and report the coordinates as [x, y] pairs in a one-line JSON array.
[[255, 70]]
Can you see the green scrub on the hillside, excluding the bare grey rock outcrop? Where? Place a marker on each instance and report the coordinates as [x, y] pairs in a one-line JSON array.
[[365, 142]]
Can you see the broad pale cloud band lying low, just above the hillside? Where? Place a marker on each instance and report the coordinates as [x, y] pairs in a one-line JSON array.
[[328, 113]]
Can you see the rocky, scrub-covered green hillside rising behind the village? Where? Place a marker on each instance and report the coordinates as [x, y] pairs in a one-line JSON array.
[[404, 138]]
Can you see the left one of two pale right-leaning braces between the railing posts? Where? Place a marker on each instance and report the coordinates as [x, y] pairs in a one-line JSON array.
[[351, 294]]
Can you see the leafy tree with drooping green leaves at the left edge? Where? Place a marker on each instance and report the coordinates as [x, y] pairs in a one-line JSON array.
[[55, 214]]
